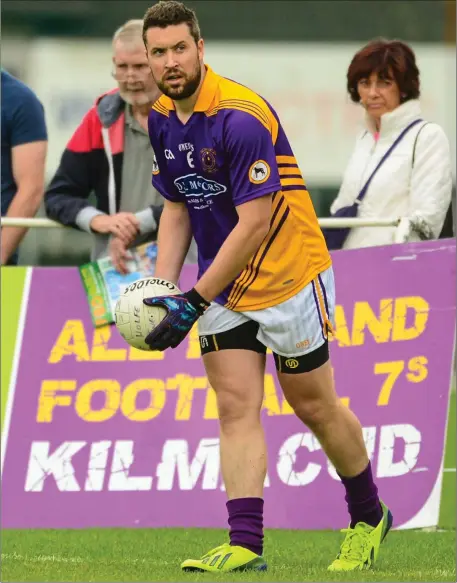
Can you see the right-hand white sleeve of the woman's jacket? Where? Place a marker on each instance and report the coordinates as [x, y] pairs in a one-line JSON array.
[[431, 182]]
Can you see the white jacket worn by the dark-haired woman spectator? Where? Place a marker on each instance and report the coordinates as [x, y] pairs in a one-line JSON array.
[[421, 192]]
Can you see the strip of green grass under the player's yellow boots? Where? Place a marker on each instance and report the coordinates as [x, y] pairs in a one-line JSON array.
[[155, 555]]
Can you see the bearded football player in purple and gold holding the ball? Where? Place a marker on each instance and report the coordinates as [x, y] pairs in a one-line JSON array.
[[230, 179]]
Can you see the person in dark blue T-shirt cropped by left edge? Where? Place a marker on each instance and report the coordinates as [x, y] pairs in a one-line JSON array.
[[24, 147]]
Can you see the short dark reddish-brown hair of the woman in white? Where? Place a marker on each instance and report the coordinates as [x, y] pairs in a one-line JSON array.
[[389, 59]]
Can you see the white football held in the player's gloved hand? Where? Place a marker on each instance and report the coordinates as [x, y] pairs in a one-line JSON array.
[[133, 318]]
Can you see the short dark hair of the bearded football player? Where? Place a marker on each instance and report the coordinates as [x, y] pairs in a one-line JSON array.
[[168, 13]]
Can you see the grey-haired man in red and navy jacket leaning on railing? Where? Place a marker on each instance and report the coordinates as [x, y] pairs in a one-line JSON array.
[[110, 154]]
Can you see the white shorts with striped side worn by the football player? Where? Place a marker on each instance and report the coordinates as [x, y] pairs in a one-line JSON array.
[[295, 327]]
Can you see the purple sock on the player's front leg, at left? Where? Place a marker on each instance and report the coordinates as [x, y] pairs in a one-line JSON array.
[[246, 523]]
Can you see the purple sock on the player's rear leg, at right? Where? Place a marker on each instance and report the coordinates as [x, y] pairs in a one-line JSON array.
[[362, 498]]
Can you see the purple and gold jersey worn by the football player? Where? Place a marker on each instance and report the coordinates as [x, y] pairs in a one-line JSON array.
[[232, 150]]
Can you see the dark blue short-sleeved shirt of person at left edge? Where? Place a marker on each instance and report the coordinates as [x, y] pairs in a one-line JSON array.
[[23, 122]]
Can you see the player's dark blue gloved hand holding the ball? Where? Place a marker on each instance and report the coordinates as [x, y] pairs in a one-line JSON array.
[[182, 313]]
